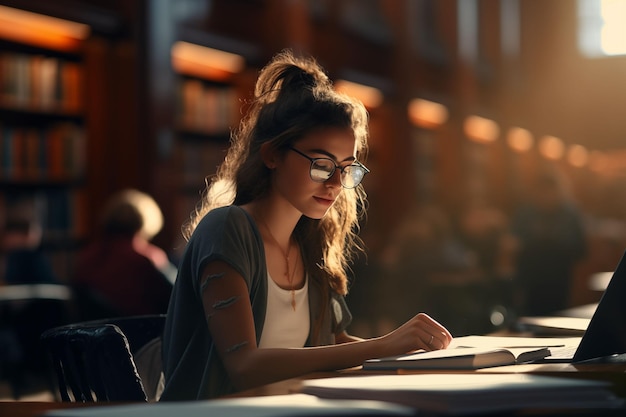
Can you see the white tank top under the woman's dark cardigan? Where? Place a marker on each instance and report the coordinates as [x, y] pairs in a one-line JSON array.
[[284, 327]]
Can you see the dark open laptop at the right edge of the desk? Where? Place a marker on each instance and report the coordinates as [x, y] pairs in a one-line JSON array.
[[605, 336]]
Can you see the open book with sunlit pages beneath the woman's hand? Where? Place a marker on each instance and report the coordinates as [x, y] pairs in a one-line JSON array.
[[473, 352]]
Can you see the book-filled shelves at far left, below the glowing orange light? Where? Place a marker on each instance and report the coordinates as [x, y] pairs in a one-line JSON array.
[[43, 142]]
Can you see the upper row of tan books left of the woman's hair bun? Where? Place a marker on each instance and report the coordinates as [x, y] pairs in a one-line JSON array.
[[206, 108]]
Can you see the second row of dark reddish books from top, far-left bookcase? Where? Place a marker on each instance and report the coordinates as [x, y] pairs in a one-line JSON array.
[[53, 153]]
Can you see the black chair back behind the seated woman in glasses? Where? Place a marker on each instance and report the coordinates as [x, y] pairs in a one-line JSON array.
[[94, 361]]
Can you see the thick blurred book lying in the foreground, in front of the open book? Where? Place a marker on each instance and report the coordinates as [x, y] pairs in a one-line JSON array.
[[469, 393]]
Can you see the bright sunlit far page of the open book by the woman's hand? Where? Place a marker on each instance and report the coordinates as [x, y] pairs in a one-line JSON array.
[[512, 342]]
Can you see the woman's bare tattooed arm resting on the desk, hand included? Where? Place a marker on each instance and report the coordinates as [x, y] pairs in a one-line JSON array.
[[230, 321]]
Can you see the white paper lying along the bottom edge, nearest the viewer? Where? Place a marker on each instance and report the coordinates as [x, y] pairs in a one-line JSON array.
[[266, 406]]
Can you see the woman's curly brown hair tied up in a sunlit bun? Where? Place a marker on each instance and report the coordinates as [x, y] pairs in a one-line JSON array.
[[294, 97]]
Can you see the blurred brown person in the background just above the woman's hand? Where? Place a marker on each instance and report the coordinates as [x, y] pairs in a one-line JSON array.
[[424, 261]]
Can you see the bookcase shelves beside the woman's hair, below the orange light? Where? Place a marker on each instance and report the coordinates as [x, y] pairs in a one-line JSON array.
[[208, 109]]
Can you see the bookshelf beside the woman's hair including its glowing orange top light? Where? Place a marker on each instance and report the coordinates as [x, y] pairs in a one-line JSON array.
[[208, 109]]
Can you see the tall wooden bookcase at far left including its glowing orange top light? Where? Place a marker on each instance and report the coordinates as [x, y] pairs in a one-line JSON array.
[[47, 124]]
